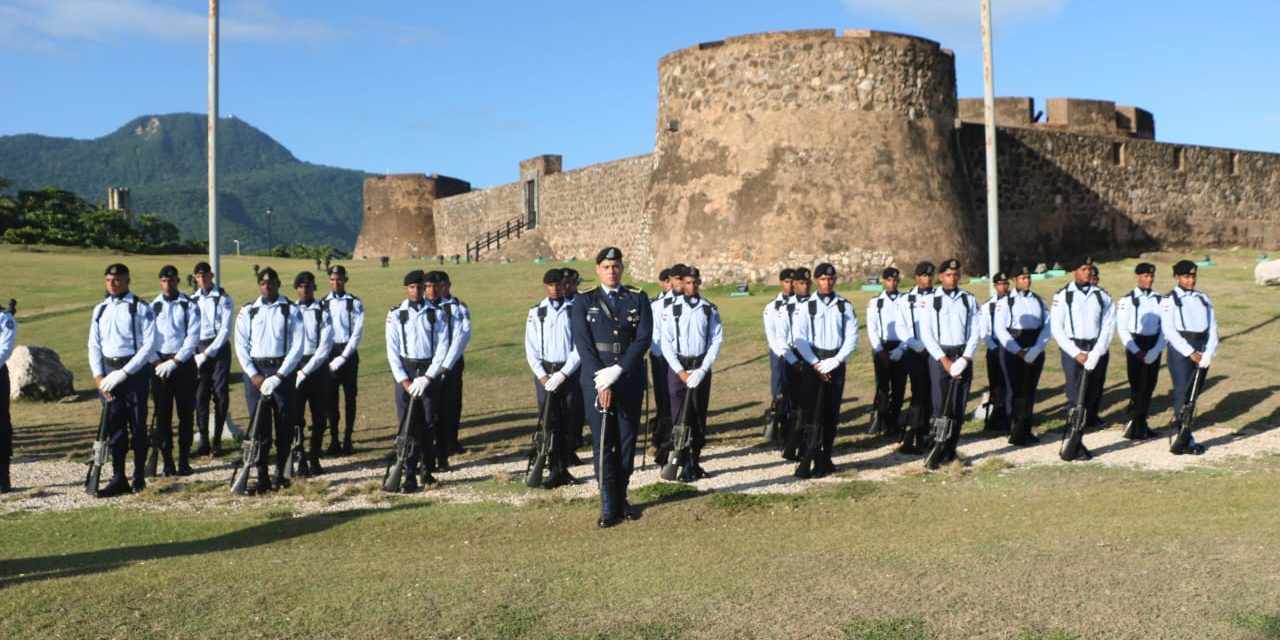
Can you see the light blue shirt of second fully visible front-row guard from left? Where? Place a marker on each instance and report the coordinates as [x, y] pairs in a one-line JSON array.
[[269, 331]]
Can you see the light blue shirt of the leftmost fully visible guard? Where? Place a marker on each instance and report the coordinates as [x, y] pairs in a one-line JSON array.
[[116, 332]]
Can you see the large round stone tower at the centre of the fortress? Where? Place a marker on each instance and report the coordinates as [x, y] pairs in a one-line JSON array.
[[794, 148]]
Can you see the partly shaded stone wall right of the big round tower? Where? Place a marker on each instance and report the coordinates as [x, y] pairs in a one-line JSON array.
[[1067, 194]]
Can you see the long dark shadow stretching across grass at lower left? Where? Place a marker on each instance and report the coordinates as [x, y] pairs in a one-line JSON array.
[[28, 570]]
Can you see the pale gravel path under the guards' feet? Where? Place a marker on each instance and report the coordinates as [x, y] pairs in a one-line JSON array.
[[351, 483]]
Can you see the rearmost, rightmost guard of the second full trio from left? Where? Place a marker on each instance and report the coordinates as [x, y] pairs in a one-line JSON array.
[[348, 313]]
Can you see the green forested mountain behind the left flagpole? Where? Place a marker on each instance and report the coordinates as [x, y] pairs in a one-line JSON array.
[[162, 161]]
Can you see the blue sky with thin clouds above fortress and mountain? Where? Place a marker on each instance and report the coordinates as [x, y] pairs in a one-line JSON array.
[[470, 89]]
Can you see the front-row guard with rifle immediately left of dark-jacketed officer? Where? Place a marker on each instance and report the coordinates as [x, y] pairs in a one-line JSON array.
[[554, 360]]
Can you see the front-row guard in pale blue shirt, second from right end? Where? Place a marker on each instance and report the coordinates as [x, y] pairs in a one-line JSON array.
[[1084, 321]]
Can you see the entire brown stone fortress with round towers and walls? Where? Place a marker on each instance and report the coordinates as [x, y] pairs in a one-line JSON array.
[[794, 148]]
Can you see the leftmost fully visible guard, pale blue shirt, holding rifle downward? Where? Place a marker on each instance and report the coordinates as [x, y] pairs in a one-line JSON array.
[[121, 345]]
